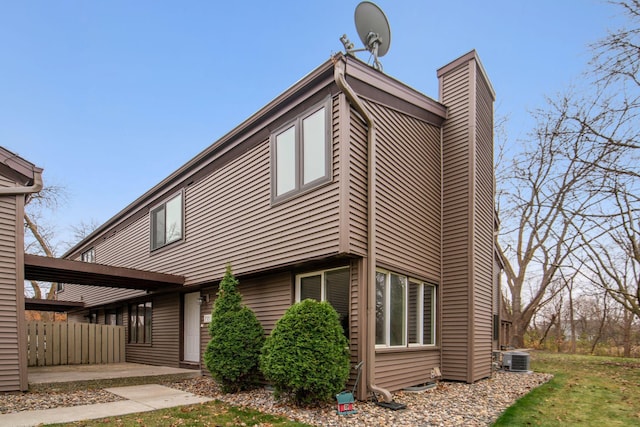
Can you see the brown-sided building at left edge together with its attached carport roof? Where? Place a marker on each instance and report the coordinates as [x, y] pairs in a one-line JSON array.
[[18, 180]]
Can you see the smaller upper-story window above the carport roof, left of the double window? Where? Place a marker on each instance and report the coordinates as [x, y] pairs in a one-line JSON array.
[[167, 222]]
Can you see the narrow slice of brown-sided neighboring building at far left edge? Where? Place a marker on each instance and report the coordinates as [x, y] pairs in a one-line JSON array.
[[18, 179]]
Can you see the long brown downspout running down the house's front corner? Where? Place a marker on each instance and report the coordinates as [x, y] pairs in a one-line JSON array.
[[339, 77]]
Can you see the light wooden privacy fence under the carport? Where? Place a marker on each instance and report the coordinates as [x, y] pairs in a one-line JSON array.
[[58, 343]]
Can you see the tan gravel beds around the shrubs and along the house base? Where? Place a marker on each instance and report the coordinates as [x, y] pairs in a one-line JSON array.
[[449, 404]]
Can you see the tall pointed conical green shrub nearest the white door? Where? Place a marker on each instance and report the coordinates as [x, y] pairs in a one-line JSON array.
[[236, 339]]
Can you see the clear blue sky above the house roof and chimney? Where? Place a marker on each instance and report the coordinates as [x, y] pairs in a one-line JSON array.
[[110, 97]]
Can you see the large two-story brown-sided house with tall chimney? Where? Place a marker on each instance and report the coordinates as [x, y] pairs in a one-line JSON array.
[[286, 198]]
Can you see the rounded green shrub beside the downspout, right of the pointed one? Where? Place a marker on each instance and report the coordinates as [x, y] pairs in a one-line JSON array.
[[306, 357]]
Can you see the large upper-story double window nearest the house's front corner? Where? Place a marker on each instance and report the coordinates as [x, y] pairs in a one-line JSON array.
[[301, 153]]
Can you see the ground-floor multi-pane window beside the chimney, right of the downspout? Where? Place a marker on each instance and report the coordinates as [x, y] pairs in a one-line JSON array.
[[405, 311]]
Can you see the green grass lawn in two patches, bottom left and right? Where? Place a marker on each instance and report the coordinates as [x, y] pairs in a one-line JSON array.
[[585, 391]]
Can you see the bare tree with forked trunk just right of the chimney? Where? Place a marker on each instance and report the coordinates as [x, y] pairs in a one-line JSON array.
[[541, 199]]
